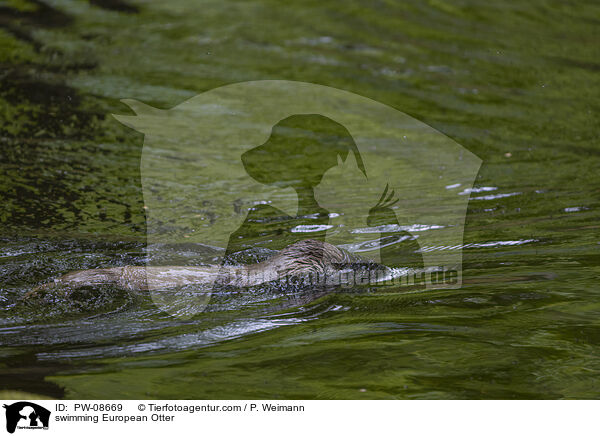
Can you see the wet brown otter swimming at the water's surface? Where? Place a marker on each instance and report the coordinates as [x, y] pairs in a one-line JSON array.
[[316, 262]]
